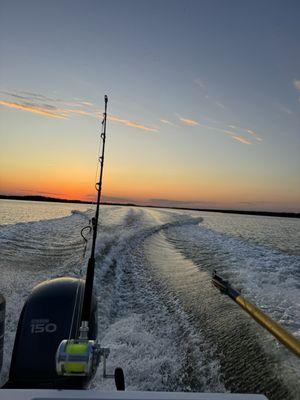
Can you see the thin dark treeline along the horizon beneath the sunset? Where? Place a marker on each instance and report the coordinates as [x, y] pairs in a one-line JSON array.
[[243, 212]]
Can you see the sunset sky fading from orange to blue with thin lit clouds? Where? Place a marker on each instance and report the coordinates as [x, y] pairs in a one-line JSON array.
[[204, 101]]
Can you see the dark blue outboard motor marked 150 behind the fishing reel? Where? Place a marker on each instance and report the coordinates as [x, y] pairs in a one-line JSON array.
[[50, 315]]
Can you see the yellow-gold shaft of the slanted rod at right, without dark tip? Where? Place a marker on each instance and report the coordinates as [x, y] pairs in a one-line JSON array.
[[273, 327]]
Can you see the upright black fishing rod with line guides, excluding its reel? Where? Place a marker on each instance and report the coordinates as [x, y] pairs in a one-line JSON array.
[[89, 280]]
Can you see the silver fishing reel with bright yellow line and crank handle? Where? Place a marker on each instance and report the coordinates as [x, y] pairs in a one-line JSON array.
[[81, 357]]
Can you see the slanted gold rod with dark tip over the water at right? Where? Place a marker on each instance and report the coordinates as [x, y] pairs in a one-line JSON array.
[[286, 338]]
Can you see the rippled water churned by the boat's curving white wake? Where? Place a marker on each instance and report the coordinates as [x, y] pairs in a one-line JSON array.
[[165, 324]]
